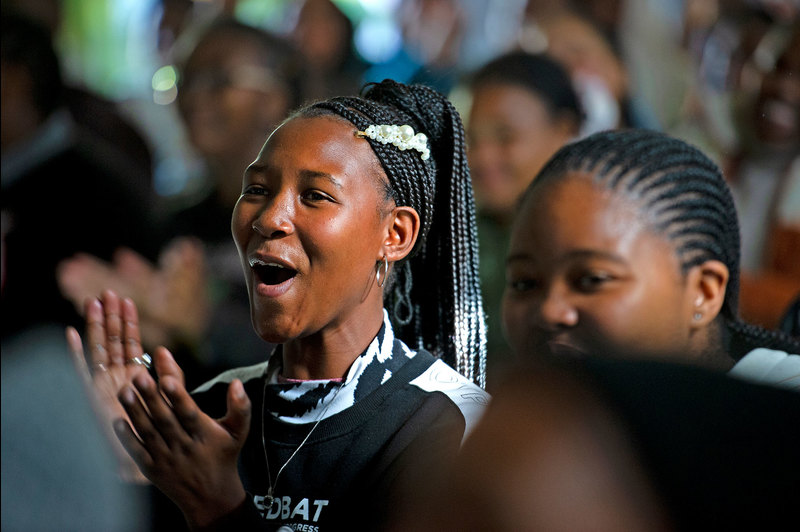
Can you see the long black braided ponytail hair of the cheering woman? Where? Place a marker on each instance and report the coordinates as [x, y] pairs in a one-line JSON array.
[[434, 296]]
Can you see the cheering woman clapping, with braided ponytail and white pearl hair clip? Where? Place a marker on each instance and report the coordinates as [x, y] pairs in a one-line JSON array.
[[356, 232]]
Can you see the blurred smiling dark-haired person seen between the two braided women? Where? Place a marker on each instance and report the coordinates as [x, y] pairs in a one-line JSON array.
[[523, 110]]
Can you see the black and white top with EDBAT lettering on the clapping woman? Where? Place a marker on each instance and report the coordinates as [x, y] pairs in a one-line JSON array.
[[396, 415]]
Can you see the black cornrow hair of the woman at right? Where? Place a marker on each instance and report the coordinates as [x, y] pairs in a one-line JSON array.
[[684, 197]]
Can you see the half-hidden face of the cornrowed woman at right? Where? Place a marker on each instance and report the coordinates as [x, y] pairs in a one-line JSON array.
[[586, 277]]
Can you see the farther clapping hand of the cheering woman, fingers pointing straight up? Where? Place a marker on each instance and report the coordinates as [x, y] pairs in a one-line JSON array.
[[114, 359]]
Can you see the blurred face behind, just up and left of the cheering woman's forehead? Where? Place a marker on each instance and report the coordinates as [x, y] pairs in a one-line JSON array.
[[229, 102]]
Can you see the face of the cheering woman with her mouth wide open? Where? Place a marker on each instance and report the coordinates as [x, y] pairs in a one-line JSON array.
[[309, 229]]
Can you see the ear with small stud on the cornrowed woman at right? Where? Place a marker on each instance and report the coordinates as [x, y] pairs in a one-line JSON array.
[[707, 285]]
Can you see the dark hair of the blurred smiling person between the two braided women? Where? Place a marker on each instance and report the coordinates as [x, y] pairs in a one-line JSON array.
[[540, 74]]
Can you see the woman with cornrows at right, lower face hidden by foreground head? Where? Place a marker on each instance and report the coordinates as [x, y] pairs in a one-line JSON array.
[[627, 245]]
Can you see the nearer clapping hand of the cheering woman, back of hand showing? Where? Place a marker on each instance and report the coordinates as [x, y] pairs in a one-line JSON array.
[[191, 457]]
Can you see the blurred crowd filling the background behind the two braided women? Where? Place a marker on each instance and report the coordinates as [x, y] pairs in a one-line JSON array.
[[80, 213]]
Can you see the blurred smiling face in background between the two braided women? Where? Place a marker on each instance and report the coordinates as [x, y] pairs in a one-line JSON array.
[[511, 135]]
